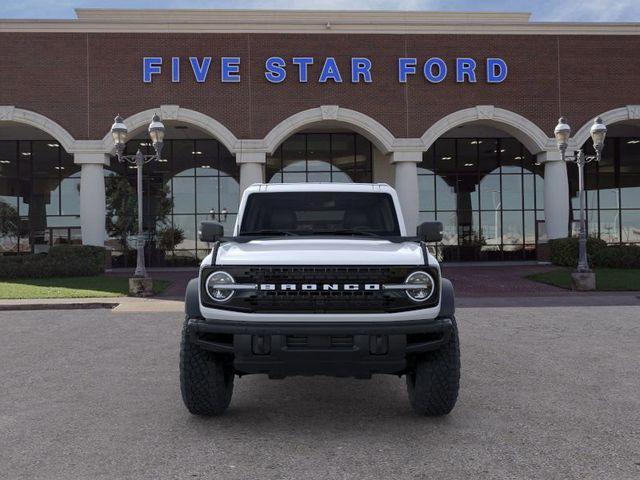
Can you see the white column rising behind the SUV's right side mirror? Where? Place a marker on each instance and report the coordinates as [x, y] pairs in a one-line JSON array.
[[406, 184]]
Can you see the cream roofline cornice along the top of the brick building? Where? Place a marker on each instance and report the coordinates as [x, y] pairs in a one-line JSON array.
[[312, 22]]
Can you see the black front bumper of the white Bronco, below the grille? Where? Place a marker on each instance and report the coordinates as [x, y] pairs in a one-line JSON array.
[[320, 348]]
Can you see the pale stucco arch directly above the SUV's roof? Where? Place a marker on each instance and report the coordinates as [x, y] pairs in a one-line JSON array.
[[373, 130]]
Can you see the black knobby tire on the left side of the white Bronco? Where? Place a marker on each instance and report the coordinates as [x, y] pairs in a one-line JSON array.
[[205, 381]]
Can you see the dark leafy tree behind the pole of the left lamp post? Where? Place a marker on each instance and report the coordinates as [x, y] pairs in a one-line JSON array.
[[122, 208]]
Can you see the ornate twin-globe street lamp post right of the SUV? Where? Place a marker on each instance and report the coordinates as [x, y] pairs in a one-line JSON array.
[[562, 133]]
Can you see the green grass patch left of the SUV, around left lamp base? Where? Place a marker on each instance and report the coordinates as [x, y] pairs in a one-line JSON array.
[[70, 287]]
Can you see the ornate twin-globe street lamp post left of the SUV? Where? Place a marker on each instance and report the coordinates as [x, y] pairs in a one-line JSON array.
[[156, 132]]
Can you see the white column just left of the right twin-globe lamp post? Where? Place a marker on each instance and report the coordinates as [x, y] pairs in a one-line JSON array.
[[556, 194]]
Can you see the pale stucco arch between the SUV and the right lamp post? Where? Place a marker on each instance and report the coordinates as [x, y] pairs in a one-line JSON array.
[[527, 132]]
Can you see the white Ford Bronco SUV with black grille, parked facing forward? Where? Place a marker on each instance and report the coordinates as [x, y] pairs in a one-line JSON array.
[[320, 279]]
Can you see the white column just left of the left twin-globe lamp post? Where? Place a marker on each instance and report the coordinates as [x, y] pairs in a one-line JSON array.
[[92, 197]]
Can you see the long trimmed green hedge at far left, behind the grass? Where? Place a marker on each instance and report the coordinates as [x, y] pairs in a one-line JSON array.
[[61, 261]]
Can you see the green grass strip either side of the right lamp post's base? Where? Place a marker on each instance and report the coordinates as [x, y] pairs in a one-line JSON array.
[[607, 279]]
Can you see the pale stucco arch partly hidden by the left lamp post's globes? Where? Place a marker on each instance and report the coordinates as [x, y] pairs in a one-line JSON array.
[[178, 114]]
